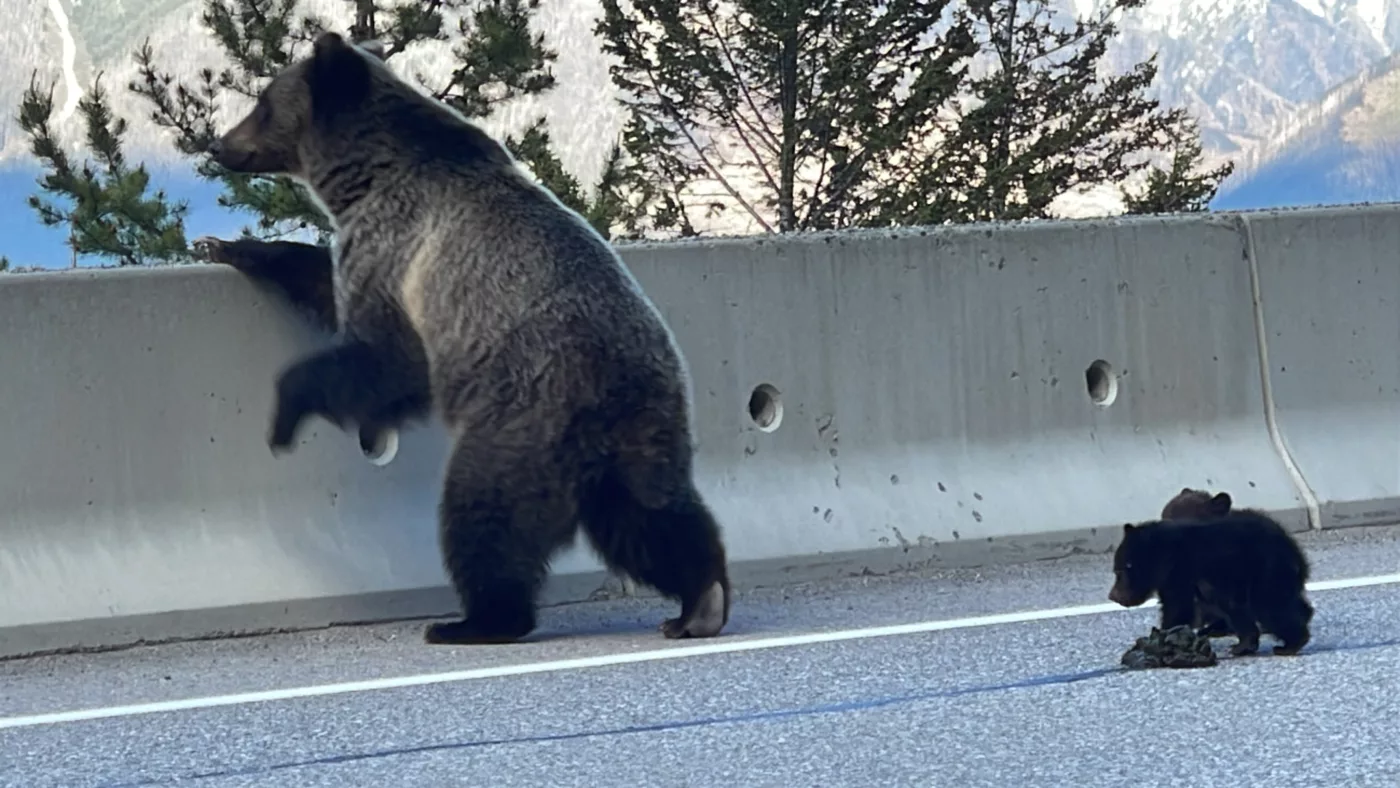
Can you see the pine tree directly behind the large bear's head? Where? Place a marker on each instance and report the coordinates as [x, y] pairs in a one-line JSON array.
[[499, 59]]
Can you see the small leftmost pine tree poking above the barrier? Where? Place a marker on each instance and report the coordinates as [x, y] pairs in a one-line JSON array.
[[110, 215]]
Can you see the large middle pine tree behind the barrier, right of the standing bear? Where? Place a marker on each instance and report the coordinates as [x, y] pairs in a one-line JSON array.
[[797, 115]]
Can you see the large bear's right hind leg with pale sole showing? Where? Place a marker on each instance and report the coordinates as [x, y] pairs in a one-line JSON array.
[[673, 545]]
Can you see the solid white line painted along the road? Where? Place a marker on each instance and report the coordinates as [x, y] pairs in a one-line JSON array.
[[610, 660]]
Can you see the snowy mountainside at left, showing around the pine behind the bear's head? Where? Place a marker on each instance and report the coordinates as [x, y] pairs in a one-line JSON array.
[[72, 41]]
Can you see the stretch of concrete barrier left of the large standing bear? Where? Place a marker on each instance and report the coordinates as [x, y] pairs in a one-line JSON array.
[[141, 498]]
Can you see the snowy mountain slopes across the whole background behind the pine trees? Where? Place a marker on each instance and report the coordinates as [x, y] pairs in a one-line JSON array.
[[1251, 71]]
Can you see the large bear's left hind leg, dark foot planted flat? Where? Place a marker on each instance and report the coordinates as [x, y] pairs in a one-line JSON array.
[[500, 523]]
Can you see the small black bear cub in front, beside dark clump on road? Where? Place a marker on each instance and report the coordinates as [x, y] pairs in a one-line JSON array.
[[1241, 566]]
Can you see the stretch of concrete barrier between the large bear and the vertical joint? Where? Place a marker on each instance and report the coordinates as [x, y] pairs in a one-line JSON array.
[[933, 386]]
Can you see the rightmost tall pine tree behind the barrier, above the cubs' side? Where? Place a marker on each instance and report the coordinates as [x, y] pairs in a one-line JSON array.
[[1044, 124]]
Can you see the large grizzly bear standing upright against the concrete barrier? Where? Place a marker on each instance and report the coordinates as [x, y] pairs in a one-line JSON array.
[[467, 290]]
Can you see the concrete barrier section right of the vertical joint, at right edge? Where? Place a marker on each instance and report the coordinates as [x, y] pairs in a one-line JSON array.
[[1331, 285]]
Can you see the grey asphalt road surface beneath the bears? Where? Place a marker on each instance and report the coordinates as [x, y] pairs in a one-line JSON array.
[[971, 703]]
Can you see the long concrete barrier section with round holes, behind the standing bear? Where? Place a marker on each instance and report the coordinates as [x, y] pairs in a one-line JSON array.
[[864, 402]]
